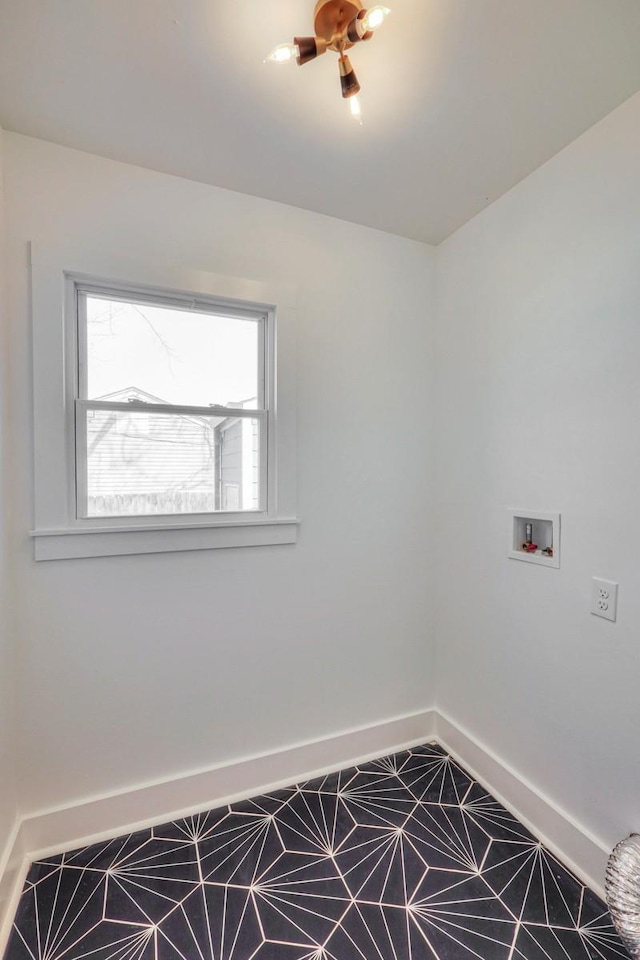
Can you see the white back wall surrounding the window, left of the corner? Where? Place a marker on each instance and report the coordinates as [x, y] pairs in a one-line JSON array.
[[139, 668]]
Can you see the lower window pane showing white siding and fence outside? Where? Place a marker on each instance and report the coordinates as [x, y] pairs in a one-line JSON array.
[[156, 463]]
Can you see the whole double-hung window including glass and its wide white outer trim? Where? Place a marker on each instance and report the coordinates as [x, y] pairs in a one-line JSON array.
[[167, 437]]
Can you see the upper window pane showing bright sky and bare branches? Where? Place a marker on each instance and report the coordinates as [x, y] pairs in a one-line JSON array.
[[165, 355]]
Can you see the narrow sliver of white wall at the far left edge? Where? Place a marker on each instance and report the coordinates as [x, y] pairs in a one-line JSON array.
[[8, 803]]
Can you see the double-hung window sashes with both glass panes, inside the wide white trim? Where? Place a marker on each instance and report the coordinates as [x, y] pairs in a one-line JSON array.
[[172, 409]]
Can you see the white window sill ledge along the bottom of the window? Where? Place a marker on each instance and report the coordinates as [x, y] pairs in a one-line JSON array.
[[94, 541]]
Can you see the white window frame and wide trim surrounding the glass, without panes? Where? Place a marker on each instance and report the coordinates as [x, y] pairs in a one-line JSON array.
[[59, 532]]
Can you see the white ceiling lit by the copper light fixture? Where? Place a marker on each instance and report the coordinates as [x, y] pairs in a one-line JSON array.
[[462, 98]]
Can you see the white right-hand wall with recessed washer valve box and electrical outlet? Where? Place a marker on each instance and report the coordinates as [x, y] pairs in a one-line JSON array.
[[538, 405]]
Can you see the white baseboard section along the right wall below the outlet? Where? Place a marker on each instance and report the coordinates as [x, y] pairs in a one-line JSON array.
[[583, 853]]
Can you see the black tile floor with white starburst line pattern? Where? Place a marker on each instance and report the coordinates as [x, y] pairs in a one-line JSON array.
[[403, 858]]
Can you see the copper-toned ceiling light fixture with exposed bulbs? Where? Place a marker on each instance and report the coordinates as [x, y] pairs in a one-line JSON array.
[[339, 24]]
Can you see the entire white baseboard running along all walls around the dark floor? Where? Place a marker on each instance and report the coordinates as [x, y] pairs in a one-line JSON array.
[[65, 828]]
